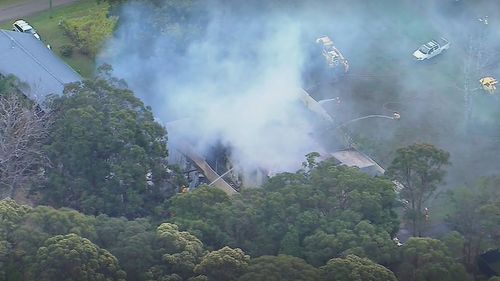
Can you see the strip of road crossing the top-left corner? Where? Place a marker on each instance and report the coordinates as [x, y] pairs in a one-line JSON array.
[[28, 7]]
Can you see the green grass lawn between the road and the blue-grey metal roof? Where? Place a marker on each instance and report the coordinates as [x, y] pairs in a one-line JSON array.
[[47, 24]]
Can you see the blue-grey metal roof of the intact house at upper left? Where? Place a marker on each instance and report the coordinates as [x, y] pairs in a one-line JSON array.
[[33, 63]]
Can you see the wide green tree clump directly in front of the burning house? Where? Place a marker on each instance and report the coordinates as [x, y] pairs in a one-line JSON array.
[[316, 215]]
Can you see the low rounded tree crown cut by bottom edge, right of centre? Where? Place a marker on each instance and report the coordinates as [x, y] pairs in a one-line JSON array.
[[354, 268]]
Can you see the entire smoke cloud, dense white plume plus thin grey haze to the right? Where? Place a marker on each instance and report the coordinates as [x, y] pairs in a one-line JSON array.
[[232, 71]]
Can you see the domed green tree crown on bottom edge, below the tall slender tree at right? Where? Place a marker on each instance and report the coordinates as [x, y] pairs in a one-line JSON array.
[[426, 259]]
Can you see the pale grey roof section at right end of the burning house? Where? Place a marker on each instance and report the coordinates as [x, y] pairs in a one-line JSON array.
[[354, 158]]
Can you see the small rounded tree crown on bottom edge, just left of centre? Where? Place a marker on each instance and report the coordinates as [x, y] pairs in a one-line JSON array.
[[225, 264]]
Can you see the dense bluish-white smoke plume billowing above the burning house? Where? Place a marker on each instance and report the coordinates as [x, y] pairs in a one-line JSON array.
[[236, 83]]
